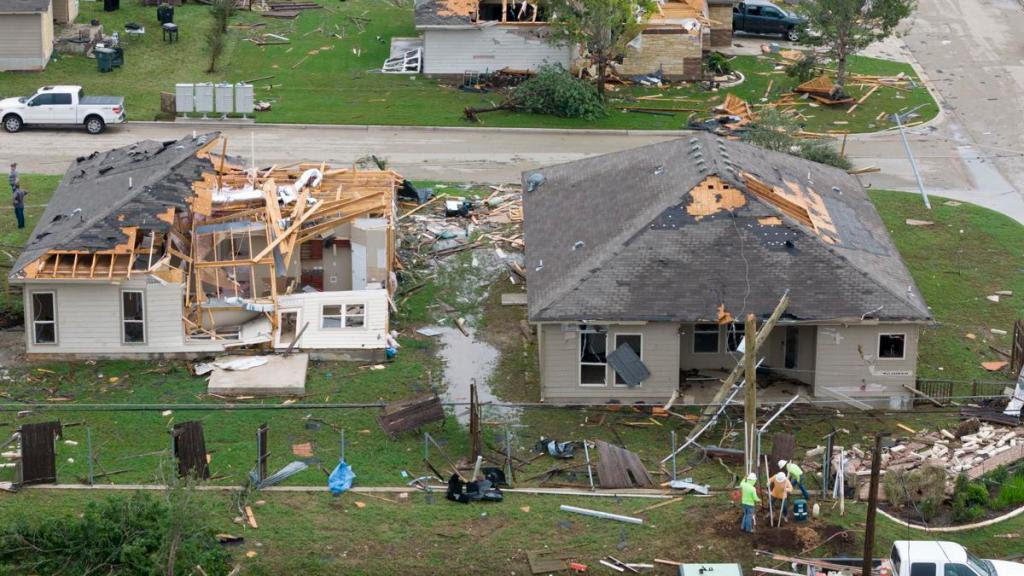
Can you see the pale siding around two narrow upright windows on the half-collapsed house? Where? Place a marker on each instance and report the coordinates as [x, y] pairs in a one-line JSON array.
[[90, 320]]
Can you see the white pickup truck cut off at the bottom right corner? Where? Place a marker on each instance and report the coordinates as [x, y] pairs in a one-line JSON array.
[[927, 558]]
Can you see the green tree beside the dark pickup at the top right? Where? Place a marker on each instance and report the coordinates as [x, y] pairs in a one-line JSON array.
[[846, 27]]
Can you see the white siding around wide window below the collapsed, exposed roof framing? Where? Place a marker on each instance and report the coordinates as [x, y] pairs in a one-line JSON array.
[[372, 336]]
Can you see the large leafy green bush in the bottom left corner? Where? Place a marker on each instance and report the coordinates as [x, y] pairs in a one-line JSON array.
[[131, 536]]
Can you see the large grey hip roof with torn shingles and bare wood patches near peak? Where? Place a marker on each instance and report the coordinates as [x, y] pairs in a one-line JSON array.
[[624, 237]]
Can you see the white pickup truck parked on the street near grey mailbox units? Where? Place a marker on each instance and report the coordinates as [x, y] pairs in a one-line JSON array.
[[64, 106]]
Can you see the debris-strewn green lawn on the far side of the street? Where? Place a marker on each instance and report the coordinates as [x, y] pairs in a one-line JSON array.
[[320, 78]]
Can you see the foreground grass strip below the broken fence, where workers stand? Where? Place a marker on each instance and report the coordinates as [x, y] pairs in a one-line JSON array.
[[318, 534]]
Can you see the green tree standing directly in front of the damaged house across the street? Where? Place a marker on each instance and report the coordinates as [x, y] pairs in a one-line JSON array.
[[601, 28]]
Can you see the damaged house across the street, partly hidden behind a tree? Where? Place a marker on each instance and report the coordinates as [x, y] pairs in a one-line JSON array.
[[480, 36]]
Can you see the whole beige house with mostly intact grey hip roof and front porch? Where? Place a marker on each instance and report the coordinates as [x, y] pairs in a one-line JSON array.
[[644, 291]]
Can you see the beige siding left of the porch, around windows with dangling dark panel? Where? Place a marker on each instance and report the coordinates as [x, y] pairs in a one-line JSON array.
[[561, 366]]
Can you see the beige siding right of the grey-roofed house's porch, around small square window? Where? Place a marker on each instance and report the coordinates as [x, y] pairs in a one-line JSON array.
[[848, 363]]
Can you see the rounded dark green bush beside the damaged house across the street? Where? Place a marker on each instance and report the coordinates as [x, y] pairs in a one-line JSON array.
[[553, 91]]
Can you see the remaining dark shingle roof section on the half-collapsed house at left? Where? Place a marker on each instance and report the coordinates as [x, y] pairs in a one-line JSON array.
[[106, 192]]
